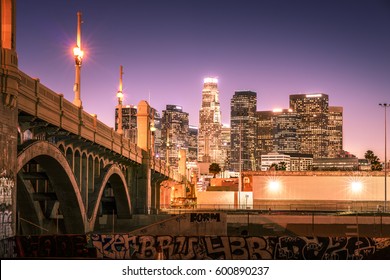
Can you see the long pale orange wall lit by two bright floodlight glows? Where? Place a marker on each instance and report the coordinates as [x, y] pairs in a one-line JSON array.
[[324, 187]]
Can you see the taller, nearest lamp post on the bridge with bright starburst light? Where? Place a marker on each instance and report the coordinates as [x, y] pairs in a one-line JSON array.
[[78, 57]]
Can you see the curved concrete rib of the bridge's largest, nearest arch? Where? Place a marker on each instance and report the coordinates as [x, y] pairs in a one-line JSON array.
[[60, 175]]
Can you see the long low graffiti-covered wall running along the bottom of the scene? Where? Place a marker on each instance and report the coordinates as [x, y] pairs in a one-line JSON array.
[[144, 247]]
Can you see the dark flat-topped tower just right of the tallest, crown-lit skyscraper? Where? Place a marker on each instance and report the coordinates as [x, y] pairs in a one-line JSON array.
[[243, 130]]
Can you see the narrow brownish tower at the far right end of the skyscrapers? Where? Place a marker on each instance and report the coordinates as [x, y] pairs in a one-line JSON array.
[[335, 128]]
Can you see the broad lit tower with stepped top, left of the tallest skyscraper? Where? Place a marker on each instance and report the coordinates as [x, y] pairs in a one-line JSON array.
[[174, 133]]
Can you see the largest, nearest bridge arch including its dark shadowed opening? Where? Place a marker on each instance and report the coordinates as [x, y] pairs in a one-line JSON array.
[[49, 194]]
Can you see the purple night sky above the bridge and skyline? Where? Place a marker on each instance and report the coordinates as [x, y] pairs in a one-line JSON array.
[[276, 48]]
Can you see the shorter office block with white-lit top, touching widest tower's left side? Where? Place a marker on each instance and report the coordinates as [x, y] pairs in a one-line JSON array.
[[285, 127]]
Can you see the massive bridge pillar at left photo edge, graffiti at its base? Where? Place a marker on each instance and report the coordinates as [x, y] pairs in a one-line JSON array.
[[9, 86]]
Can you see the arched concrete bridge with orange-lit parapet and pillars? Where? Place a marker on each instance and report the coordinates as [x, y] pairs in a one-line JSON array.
[[61, 169]]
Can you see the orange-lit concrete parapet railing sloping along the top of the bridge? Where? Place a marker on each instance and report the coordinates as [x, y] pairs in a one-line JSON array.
[[43, 103]]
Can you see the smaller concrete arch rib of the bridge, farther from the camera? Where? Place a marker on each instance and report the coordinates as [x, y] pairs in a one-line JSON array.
[[111, 175]]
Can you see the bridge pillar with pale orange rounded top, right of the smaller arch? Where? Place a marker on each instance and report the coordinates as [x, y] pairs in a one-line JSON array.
[[144, 188]]
